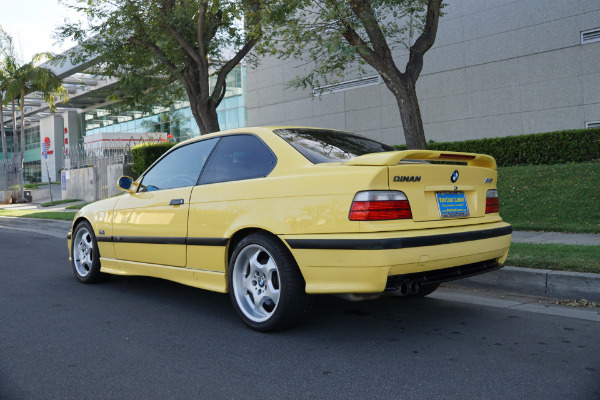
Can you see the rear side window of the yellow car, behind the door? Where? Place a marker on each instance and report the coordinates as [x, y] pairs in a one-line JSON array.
[[238, 157]]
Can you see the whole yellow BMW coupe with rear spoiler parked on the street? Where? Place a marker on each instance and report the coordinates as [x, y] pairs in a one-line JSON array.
[[272, 215]]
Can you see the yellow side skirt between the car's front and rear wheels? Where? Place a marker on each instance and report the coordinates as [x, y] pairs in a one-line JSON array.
[[209, 280]]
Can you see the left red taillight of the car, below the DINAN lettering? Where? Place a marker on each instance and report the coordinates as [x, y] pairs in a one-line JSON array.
[[380, 205]]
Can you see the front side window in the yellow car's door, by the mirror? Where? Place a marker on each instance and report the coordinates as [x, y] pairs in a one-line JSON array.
[[179, 168]]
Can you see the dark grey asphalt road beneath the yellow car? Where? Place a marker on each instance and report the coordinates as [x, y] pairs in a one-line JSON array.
[[142, 338]]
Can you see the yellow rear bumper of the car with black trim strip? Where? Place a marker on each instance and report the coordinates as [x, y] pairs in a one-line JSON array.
[[365, 262]]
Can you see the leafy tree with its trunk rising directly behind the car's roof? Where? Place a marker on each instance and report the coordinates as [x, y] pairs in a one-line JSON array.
[[156, 48]]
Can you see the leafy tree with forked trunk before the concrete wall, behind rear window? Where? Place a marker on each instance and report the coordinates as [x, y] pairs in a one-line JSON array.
[[340, 35]]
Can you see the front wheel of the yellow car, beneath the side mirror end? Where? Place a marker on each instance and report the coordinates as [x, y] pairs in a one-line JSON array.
[[85, 257]]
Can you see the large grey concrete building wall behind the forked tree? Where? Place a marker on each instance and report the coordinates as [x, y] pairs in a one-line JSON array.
[[498, 68]]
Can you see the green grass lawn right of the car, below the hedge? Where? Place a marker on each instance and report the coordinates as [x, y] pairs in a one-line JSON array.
[[555, 198]]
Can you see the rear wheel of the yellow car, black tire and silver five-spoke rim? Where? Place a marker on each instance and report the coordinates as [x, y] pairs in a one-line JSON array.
[[265, 284]]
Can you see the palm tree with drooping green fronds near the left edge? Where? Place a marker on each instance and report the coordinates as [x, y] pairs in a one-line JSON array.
[[29, 78]]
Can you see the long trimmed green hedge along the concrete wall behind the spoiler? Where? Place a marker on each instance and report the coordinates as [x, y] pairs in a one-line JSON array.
[[579, 145]]
